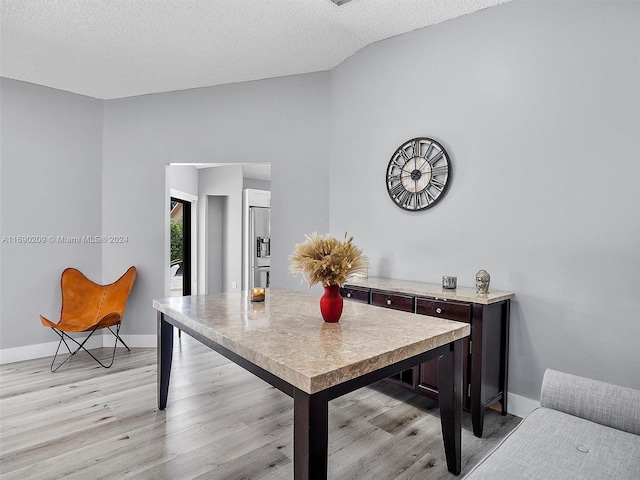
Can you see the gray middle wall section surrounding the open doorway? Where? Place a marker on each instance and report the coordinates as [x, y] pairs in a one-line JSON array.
[[283, 121]]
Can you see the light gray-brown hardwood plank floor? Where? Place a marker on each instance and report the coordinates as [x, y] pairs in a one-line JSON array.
[[86, 422]]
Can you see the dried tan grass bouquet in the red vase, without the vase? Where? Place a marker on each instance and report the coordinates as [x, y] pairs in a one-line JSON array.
[[327, 260]]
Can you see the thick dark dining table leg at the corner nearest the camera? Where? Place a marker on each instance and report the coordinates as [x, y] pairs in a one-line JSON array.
[[310, 435]]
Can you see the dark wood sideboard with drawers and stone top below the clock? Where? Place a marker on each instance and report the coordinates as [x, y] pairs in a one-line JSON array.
[[485, 352]]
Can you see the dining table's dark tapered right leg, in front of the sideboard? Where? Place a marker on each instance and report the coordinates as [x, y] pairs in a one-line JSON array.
[[450, 386]]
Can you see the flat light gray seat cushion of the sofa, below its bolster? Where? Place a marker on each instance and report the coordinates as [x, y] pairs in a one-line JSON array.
[[549, 444]]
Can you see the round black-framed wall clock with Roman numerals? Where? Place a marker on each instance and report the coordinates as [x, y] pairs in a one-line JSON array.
[[418, 174]]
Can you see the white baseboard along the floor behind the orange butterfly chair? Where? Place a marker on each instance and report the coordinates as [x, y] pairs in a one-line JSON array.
[[29, 352]]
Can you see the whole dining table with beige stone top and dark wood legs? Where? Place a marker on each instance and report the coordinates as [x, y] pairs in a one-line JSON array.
[[285, 342]]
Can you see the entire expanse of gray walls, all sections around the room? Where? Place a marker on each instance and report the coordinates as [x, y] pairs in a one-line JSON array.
[[538, 105]]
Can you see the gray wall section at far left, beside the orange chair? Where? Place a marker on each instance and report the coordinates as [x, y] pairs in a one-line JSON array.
[[51, 149]]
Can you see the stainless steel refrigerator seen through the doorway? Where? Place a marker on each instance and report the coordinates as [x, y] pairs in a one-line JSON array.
[[259, 246]]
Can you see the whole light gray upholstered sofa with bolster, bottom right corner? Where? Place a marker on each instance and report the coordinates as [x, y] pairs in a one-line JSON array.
[[584, 429]]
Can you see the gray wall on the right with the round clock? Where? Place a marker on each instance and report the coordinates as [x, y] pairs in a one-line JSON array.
[[538, 105]]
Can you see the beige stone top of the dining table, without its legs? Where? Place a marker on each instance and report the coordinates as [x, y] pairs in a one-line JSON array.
[[286, 335]]
